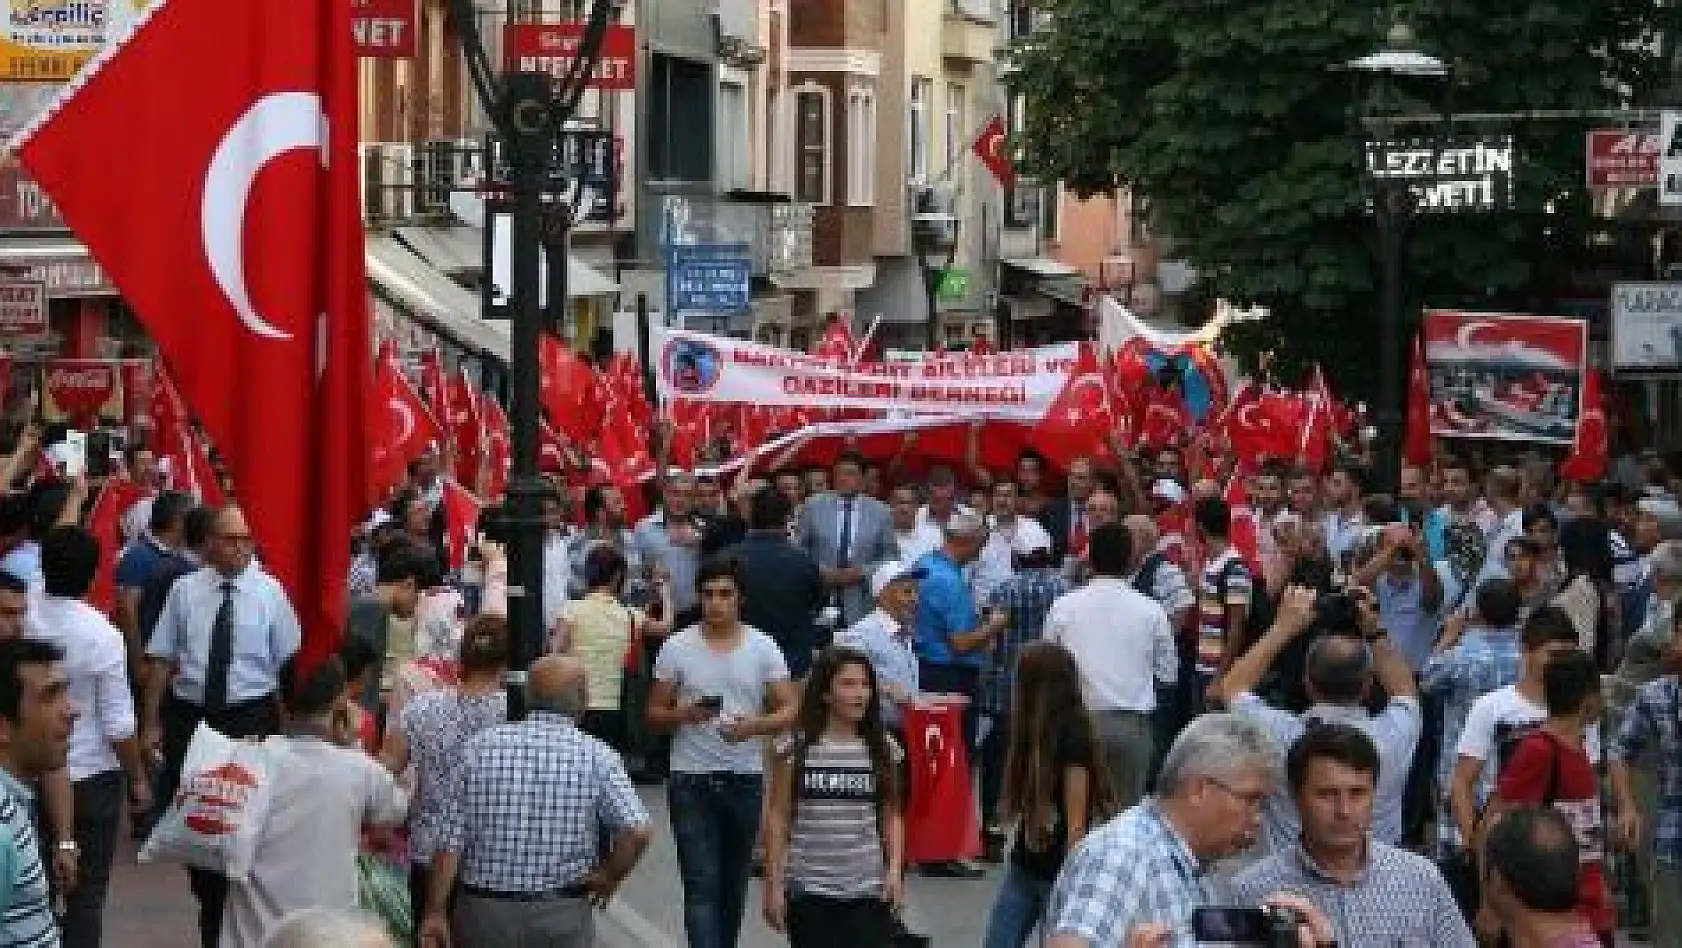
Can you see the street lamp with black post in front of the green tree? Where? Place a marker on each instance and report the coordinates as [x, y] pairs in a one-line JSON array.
[[1394, 206]]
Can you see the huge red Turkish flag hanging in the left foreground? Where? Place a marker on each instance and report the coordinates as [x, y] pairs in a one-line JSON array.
[[235, 231]]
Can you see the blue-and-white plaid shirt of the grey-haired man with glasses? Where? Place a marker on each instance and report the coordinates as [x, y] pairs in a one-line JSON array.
[[1126, 873]]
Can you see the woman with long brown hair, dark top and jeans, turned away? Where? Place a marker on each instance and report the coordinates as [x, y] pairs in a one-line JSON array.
[[1055, 787]]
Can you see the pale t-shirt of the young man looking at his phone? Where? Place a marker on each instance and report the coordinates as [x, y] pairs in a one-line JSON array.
[[743, 678]]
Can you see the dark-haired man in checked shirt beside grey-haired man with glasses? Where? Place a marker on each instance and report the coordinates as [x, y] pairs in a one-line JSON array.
[[1375, 893]]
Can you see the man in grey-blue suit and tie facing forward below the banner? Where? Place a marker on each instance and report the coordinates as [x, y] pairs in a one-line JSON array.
[[849, 534]]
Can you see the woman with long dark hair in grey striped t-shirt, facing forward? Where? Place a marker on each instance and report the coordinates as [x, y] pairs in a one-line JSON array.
[[835, 831]]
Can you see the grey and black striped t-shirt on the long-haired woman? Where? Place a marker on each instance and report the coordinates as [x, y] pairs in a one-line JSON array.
[[835, 845]]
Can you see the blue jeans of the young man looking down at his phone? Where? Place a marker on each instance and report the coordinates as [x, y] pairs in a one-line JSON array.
[[716, 823]]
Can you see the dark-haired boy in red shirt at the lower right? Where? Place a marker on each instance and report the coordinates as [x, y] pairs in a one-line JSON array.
[[1552, 767]]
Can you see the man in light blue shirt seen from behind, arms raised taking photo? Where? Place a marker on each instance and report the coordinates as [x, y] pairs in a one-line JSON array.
[[1348, 656]]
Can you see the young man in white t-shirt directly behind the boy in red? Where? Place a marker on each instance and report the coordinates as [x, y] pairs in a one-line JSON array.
[[1500, 719]]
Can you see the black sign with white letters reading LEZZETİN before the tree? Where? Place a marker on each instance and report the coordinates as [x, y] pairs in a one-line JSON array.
[[1449, 176]]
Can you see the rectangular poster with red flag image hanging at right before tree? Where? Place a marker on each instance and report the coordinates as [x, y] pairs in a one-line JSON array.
[[1506, 377]]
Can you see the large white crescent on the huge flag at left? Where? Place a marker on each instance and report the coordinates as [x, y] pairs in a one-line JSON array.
[[272, 127]]
